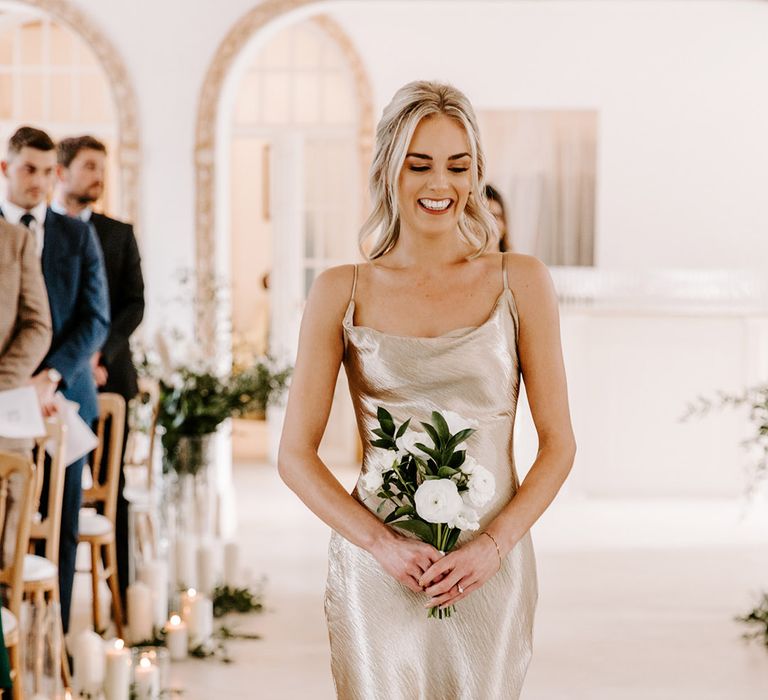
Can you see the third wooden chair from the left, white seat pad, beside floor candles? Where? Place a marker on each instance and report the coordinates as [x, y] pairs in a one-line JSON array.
[[98, 530]]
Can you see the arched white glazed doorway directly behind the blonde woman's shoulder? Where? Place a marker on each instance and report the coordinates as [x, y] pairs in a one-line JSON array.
[[281, 188]]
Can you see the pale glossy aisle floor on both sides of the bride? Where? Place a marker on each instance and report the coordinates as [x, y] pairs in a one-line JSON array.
[[636, 602]]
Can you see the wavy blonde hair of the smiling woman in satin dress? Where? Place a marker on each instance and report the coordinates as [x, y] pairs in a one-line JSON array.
[[412, 103]]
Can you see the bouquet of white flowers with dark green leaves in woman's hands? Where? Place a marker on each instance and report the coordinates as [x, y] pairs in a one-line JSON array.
[[435, 491]]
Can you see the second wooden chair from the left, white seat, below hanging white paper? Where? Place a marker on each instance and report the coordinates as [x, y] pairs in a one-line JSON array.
[[41, 573]]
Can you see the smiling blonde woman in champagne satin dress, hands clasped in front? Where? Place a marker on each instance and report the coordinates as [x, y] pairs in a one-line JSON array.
[[431, 322]]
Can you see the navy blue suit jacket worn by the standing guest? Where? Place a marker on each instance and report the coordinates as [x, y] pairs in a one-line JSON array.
[[73, 269]]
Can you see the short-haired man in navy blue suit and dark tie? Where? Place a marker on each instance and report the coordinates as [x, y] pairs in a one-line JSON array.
[[73, 269]]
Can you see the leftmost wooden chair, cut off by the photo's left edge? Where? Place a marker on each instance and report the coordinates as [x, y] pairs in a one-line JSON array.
[[11, 575]]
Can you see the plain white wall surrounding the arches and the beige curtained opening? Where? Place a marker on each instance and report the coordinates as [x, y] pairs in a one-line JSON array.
[[683, 152]]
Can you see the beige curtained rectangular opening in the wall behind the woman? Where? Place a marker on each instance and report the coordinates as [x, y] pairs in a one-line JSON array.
[[543, 163]]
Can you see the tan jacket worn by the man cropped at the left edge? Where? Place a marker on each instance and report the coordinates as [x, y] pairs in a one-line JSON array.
[[25, 319]]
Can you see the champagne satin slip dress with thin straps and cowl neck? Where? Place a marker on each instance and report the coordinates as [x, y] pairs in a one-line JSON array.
[[383, 646]]
